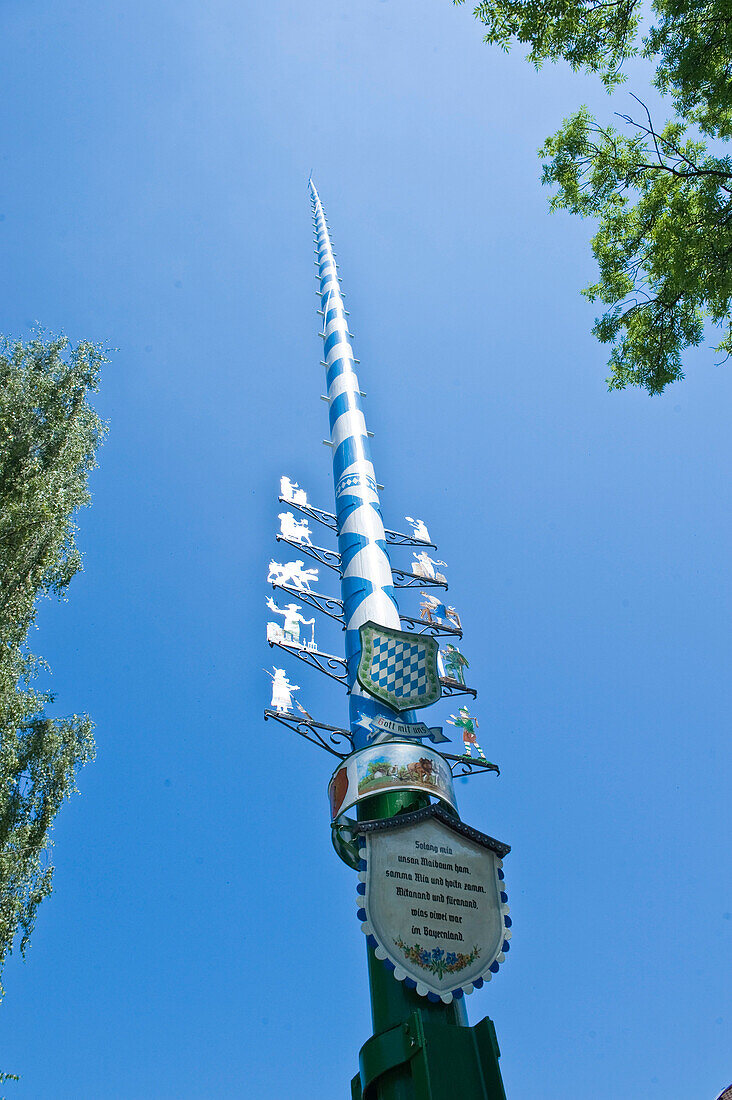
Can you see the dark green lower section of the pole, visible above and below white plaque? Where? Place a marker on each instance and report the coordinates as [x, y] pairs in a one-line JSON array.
[[421, 1050]]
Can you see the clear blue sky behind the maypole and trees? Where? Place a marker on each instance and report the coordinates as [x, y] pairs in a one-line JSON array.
[[202, 939]]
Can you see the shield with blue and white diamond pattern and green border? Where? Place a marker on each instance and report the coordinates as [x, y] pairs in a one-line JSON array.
[[398, 668]]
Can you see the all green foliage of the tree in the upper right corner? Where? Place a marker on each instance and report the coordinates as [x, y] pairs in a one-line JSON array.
[[662, 196]]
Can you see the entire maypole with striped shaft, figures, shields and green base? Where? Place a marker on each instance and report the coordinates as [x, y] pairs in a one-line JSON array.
[[431, 896]]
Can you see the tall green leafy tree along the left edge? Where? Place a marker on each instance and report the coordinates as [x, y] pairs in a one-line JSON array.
[[49, 438]]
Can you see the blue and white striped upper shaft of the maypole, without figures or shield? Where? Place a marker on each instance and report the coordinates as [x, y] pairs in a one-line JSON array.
[[367, 582]]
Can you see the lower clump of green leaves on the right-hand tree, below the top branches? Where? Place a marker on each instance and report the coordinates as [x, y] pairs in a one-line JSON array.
[[664, 244]]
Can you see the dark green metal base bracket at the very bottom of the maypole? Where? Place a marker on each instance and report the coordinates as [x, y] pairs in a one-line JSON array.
[[425, 1059]]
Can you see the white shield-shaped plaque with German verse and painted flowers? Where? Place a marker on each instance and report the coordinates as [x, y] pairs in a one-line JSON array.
[[433, 901]]
